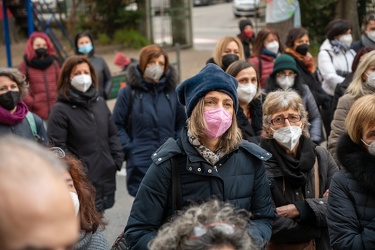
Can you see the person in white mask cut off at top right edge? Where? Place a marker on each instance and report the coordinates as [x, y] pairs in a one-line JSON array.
[[368, 33]]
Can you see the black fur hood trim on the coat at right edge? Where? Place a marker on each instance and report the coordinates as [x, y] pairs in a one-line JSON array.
[[357, 161]]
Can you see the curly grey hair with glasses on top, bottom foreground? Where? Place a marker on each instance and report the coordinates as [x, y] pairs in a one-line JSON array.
[[177, 234]]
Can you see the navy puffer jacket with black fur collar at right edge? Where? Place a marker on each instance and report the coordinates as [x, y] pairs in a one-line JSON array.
[[351, 201]]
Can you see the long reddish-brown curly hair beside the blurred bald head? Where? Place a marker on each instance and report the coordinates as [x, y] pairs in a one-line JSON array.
[[90, 218]]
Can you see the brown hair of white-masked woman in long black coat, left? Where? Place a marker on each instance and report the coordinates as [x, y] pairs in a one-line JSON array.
[[63, 83]]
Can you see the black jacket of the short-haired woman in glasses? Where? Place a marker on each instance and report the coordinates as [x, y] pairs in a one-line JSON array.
[[285, 230]]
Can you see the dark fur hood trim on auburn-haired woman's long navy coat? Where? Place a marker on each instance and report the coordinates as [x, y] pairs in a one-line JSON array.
[[136, 80]]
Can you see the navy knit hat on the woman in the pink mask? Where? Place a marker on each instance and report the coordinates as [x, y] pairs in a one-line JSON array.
[[210, 78]]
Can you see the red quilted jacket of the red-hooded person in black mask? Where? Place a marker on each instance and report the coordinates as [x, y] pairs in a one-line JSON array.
[[42, 90]]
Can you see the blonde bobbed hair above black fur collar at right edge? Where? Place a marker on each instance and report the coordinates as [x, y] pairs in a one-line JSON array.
[[361, 116]]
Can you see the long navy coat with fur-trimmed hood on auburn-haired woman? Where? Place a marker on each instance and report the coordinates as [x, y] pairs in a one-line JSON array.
[[156, 116]]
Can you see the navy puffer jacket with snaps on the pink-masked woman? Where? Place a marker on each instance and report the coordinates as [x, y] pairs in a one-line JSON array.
[[240, 180]]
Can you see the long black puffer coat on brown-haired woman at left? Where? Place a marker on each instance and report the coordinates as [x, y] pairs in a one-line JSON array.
[[82, 125]]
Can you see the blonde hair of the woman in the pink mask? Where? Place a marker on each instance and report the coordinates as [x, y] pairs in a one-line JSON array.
[[196, 125]]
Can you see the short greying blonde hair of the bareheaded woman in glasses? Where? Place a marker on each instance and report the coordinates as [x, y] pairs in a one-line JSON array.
[[281, 100]]
